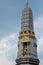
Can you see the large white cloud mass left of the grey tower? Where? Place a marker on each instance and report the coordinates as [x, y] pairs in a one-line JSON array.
[[7, 49]]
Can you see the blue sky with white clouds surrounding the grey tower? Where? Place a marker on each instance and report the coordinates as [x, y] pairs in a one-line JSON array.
[[10, 19]]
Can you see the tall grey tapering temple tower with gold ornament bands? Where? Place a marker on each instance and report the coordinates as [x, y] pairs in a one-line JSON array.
[[27, 44]]
